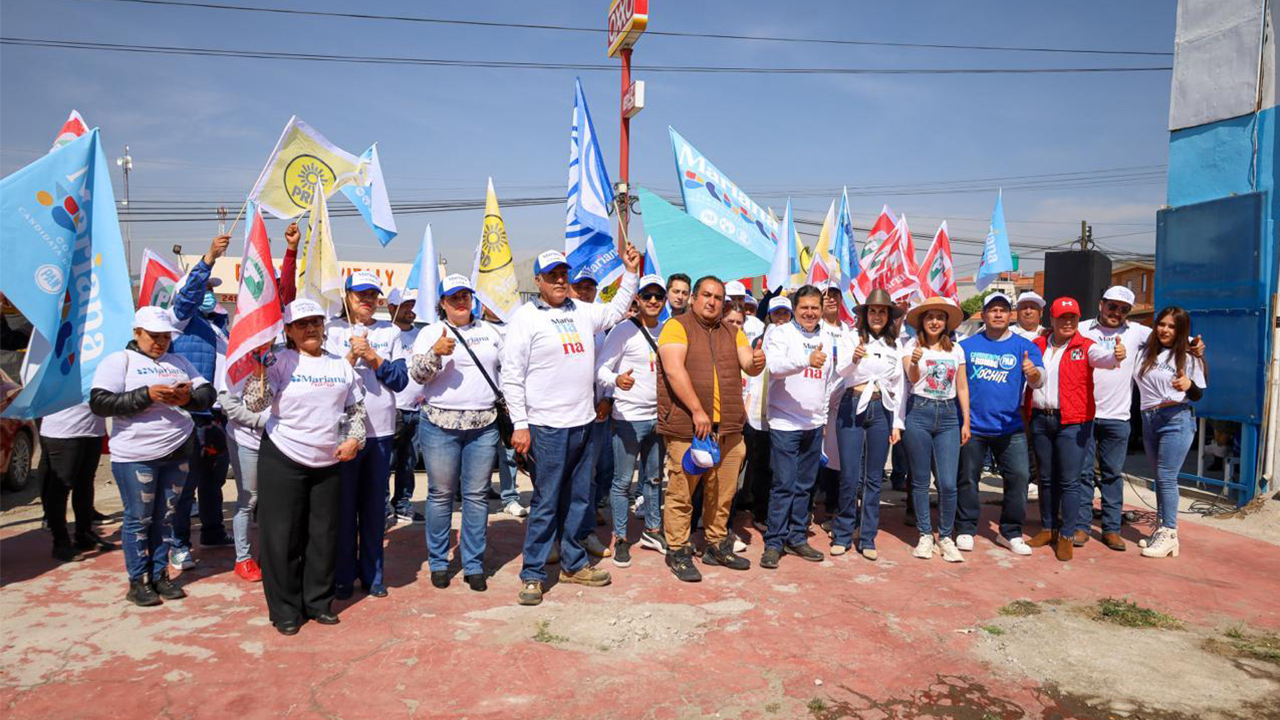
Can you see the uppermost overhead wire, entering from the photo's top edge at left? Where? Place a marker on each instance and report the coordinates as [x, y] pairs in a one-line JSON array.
[[650, 33]]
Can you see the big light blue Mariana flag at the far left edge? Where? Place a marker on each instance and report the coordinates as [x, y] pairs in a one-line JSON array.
[[62, 244]]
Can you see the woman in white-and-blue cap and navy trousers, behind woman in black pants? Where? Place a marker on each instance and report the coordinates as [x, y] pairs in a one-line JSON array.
[[373, 348]]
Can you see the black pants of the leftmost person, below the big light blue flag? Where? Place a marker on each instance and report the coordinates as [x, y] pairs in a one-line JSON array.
[[68, 467]]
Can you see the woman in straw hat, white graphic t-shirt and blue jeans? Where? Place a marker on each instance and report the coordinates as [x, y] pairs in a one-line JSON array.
[[931, 427]]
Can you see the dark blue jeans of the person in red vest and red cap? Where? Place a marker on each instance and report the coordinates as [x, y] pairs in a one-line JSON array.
[[1060, 453]]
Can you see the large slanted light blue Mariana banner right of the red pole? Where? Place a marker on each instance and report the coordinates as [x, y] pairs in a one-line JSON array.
[[719, 203]]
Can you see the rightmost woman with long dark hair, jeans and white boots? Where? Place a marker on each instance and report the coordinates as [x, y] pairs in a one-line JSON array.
[[1168, 377]]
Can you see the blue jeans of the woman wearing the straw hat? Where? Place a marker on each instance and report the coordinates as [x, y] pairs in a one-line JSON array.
[[932, 440]]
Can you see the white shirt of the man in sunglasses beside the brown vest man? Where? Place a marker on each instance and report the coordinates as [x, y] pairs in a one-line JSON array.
[[627, 349]]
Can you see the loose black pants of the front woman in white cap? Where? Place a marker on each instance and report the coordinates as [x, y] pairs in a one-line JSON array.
[[298, 532]]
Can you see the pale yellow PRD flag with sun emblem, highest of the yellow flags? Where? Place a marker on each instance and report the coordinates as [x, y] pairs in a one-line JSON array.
[[301, 160]]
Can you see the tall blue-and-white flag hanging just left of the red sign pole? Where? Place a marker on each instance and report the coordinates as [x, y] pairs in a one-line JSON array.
[[588, 230]]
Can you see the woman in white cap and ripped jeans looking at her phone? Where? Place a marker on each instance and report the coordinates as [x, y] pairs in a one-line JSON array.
[[150, 393]]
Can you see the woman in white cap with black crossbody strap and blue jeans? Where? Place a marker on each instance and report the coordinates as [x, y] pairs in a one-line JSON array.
[[456, 359]]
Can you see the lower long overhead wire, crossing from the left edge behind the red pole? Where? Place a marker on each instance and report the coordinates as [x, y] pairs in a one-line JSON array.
[[540, 66]]
